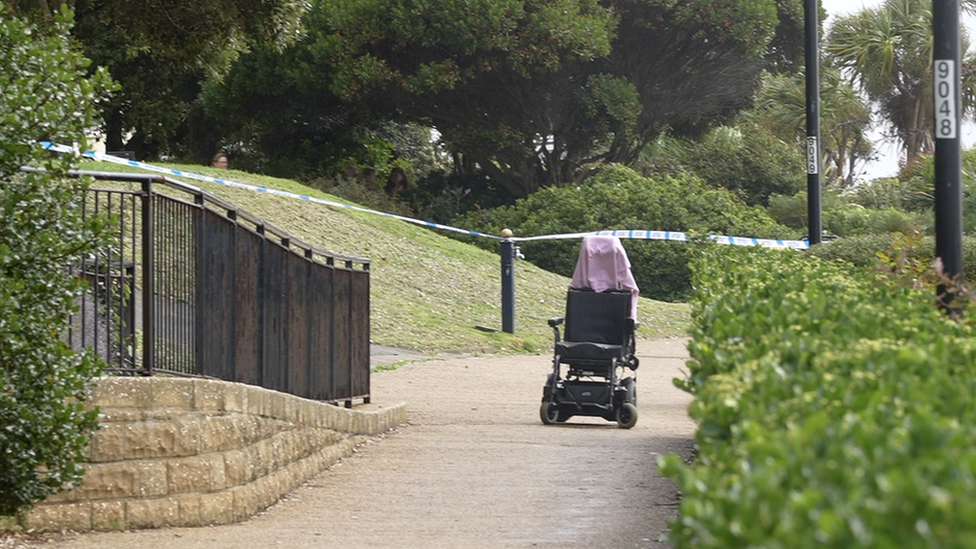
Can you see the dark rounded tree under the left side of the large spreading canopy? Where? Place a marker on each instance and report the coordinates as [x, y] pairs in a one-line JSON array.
[[276, 112]]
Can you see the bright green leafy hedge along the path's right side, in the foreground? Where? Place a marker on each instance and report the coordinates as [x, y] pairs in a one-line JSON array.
[[834, 408]]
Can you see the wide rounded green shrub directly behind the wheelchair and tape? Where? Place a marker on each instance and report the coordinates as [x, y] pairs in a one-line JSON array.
[[620, 198]]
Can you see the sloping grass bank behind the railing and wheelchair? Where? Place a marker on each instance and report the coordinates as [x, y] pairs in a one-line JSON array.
[[428, 291]]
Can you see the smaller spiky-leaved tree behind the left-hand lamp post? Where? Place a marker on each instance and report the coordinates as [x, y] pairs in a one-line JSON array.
[[844, 118]]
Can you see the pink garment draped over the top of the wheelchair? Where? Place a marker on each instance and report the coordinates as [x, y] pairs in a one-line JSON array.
[[603, 265]]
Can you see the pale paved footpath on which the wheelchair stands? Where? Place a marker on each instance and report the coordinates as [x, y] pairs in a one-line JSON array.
[[475, 468]]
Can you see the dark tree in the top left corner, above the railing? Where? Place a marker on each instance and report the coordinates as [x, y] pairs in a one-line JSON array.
[[162, 53]]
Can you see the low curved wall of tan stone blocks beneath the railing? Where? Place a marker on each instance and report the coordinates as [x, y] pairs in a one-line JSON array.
[[194, 452]]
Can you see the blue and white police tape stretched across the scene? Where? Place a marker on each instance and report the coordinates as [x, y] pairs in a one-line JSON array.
[[676, 236]]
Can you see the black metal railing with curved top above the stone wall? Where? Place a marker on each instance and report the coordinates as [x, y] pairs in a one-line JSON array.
[[192, 285]]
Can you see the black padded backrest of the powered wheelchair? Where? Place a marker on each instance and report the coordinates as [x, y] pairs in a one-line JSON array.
[[597, 317]]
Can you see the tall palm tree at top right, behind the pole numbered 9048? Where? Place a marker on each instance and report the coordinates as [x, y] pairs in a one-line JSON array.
[[888, 51]]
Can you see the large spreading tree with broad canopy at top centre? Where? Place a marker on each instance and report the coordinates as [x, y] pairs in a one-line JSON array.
[[543, 92]]
